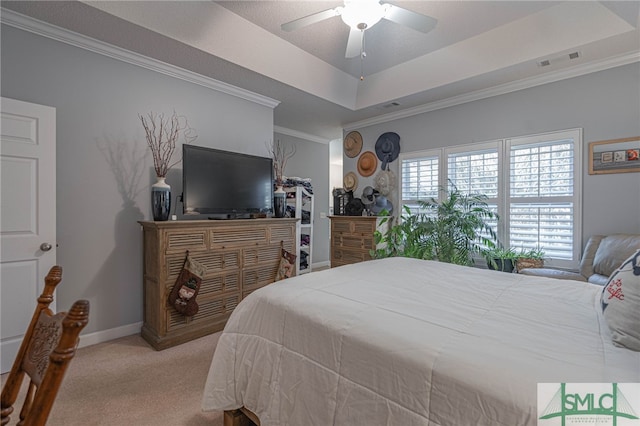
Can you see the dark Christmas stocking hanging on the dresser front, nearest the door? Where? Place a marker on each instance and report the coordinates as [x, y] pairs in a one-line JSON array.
[[184, 292]]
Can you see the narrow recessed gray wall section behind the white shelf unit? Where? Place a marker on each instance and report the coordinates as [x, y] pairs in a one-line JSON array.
[[311, 160]]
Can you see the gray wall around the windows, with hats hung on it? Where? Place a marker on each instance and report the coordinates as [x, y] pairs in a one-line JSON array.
[[606, 105]]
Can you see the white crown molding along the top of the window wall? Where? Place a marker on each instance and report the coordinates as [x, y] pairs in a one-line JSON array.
[[526, 83]]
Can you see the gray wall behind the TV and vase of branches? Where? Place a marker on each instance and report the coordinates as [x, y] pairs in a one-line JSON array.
[[104, 169]]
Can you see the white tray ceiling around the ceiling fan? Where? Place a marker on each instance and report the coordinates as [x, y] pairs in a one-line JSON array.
[[477, 48]]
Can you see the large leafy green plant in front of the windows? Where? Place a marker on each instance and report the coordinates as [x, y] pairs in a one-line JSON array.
[[451, 230]]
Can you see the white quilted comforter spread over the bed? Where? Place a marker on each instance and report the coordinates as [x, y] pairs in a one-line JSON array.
[[409, 342]]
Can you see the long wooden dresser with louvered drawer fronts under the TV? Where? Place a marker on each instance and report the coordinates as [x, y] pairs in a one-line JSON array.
[[240, 255]]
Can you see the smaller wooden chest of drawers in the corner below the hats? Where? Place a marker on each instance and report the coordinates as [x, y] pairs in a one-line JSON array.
[[352, 238]]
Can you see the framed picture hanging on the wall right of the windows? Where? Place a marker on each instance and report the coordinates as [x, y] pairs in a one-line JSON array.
[[614, 156]]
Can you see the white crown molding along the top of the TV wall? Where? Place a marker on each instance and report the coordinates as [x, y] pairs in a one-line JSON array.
[[53, 32]]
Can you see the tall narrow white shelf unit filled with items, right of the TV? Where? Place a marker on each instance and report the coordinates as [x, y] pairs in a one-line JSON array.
[[300, 205]]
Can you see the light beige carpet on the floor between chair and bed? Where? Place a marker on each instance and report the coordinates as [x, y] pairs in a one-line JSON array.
[[127, 382]]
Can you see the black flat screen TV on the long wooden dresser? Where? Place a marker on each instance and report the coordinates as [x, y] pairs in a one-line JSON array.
[[225, 185]]
